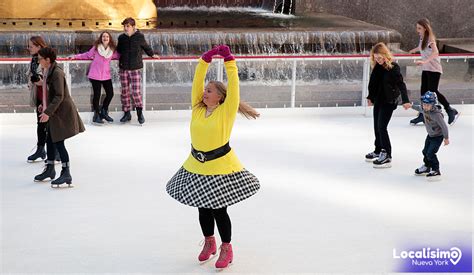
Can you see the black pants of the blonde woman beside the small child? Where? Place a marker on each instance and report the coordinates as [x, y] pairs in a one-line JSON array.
[[382, 115]]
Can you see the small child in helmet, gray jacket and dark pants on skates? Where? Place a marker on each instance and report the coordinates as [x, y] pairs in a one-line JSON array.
[[437, 133]]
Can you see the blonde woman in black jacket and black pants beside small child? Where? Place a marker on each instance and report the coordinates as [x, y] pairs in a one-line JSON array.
[[385, 87]]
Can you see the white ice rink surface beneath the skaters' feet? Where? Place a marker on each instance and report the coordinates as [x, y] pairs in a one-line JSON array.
[[321, 206]]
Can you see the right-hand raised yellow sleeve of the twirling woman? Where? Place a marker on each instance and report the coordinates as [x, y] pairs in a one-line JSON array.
[[232, 100]]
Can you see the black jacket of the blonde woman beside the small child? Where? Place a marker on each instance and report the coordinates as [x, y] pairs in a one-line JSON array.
[[386, 86]]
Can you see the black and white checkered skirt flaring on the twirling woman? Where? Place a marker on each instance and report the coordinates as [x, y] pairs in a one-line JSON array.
[[212, 191]]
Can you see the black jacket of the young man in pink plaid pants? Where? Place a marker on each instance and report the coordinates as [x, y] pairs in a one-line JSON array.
[[131, 50]]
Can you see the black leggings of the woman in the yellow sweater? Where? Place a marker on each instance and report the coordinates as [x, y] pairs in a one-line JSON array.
[[206, 219]]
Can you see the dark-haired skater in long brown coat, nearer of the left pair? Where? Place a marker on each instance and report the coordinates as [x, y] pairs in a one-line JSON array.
[[60, 112]]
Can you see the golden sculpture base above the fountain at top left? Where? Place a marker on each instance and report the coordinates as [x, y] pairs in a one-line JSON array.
[[76, 13]]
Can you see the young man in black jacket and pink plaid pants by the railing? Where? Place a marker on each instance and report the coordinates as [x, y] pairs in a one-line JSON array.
[[131, 45]]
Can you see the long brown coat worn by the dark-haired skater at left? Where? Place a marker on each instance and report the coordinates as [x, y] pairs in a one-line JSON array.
[[64, 120]]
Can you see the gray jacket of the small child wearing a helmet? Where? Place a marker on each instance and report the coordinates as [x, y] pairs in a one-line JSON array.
[[434, 121]]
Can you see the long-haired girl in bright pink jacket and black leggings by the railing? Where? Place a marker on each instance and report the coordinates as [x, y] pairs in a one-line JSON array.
[[103, 51]]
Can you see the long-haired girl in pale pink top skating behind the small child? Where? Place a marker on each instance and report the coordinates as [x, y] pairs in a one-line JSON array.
[[431, 69]]
